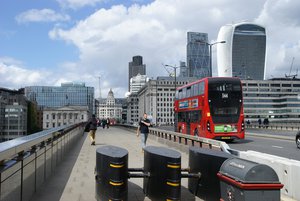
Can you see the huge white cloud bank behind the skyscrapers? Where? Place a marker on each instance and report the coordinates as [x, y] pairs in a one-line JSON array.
[[109, 38]]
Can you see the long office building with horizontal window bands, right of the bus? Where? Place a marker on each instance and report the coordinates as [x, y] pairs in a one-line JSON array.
[[278, 100]]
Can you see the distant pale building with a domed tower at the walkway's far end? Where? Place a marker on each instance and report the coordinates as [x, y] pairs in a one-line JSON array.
[[109, 108]]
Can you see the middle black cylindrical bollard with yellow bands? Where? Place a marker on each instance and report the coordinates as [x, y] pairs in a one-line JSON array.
[[164, 166]]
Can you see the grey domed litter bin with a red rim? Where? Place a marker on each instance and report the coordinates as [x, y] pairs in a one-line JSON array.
[[246, 180]]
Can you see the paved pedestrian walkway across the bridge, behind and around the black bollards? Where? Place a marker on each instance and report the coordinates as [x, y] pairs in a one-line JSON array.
[[74, 179]]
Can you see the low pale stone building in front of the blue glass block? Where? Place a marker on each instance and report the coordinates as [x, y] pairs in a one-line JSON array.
[[67, 115]]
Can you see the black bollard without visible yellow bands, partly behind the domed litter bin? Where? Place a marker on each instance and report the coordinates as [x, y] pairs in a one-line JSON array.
[[208, 163]]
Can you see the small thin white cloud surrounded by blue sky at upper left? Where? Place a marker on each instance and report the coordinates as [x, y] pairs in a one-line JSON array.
[[44, 15]]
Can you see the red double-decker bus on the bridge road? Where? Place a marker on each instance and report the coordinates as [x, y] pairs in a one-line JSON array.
[[211, 107]]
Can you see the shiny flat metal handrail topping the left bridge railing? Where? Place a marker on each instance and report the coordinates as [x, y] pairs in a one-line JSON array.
[[11, 148]]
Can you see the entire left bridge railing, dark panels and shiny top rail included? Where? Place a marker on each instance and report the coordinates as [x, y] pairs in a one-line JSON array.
[[27, 162]]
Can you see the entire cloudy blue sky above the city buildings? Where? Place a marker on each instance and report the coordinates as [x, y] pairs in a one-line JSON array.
[[46, 43]]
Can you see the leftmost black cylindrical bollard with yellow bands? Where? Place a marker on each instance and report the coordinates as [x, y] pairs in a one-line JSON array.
[[111, 173]]
